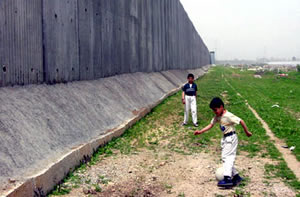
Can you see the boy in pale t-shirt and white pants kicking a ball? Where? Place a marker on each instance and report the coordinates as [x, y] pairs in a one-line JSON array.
[[229, 141]]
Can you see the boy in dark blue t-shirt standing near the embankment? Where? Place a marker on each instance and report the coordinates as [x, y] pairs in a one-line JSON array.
[[189, 94]]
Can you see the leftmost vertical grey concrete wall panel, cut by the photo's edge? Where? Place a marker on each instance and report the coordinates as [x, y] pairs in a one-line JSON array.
[[21, 56]]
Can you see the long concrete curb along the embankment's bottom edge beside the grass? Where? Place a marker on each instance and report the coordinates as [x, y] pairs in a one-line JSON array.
[[43, 182]]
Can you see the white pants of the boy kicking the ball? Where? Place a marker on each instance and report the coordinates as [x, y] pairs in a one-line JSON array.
[[229, 147]]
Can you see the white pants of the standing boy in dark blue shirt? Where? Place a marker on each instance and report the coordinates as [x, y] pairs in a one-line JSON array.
[[190, 104]]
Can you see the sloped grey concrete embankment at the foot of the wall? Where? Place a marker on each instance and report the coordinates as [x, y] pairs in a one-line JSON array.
[[45, 131]]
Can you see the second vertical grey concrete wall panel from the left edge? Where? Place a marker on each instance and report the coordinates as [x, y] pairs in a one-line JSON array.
[[60, 24]]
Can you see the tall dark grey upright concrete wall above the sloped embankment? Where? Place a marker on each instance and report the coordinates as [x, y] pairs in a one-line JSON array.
[[68, 40]]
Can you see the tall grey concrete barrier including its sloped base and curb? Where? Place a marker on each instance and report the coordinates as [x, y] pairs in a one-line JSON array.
[[109, 62]]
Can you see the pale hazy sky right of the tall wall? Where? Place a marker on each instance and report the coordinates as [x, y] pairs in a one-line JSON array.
[[247, 29]]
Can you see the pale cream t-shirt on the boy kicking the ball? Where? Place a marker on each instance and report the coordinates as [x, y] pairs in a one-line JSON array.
[[227, 121]]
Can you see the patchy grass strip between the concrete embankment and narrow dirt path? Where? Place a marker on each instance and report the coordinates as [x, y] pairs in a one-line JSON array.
[[163, 123]]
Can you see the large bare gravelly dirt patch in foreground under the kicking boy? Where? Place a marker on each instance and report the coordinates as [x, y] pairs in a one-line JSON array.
[[164, 173]]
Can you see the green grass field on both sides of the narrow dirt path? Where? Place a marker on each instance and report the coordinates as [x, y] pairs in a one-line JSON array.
[[163, 124]]
